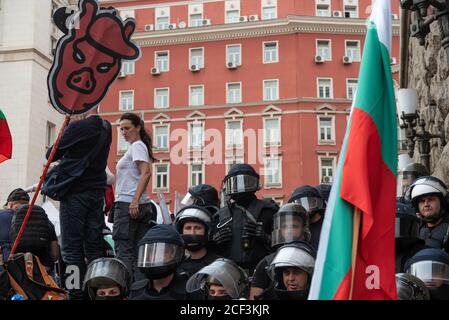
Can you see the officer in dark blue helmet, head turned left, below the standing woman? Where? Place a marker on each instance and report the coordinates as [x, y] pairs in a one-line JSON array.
[[161, 251]]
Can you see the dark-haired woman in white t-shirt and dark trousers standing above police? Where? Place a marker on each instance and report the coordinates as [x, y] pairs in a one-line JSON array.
[[133, 215]]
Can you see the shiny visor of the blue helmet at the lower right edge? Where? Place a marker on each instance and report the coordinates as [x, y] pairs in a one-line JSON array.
[[432, 273]]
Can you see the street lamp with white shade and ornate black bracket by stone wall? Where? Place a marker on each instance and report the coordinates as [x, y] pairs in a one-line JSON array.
[[407, 105]]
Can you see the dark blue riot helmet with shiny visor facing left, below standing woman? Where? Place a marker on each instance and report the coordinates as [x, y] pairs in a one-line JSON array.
[[161, 251]]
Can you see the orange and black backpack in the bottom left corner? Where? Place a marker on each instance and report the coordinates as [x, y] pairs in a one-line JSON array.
[[28, 277]]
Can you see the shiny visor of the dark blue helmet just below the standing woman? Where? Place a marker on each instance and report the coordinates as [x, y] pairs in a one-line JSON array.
[[159, 254]]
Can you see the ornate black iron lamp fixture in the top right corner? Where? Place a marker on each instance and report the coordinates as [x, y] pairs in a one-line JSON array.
[[420, 25]]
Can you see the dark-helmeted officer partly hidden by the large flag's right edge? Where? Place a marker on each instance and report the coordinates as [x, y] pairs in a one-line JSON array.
[[407, 241]]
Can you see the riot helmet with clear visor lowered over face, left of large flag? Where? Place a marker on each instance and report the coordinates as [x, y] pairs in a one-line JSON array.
[[290, 223]]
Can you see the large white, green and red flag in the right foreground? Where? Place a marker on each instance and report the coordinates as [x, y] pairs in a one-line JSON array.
[[356, 257]]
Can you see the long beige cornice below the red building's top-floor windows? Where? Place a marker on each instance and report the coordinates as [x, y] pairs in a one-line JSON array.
[[262, 28]]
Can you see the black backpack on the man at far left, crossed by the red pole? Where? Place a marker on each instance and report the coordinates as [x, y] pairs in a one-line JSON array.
[[36, 236]]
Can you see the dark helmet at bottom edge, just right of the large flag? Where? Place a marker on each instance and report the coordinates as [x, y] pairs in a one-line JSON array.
[[410, 287]]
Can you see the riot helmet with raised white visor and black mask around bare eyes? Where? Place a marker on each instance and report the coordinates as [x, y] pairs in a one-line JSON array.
[[194, 242]]
